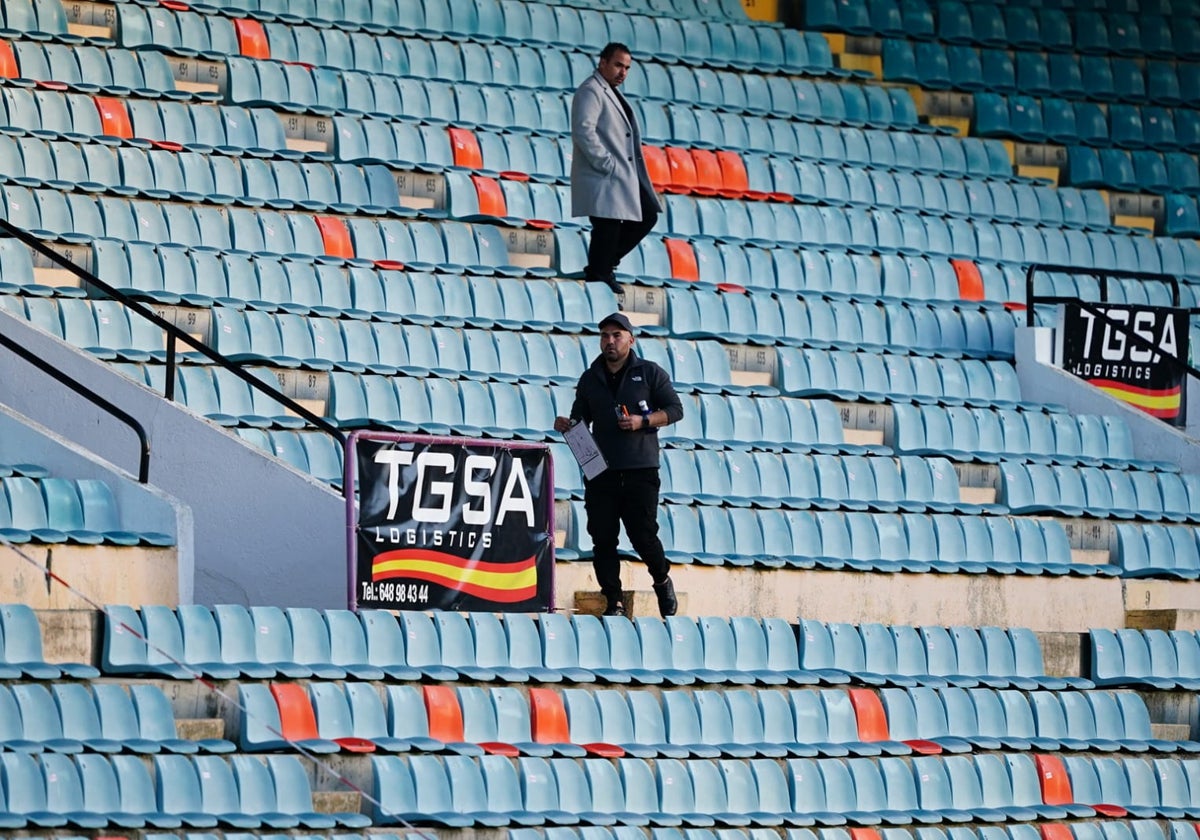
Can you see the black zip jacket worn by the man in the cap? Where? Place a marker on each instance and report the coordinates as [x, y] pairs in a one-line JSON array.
[[596, 405]]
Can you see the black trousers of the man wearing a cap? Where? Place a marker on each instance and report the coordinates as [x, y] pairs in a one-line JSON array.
[[629, 497]]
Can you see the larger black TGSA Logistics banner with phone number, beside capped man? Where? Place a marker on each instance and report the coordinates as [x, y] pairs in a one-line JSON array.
[[454, 525]]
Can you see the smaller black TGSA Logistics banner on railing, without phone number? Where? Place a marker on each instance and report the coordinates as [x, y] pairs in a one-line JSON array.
[[1105, 356]]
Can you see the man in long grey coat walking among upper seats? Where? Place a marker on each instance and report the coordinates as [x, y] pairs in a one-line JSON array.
[[609, 179]]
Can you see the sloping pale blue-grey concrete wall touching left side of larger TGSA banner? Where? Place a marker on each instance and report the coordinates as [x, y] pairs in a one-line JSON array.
[[265, 533]]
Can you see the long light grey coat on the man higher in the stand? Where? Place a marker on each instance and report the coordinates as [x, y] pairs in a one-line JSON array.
[[607, 161]]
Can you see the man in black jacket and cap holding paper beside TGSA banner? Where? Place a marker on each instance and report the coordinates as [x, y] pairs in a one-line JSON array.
[[626, 399]]
